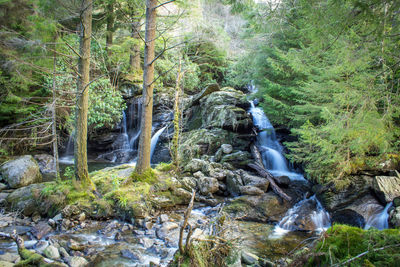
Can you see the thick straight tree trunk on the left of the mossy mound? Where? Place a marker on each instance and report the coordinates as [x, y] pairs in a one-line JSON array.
[[82, 94]]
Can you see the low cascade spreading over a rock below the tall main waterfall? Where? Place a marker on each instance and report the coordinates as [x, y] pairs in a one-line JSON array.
[[306, 215]]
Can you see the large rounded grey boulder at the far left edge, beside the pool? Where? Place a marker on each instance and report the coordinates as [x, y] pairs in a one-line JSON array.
[[21, 172]]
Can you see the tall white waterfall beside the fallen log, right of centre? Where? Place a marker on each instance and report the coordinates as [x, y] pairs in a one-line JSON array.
[[270, 148]]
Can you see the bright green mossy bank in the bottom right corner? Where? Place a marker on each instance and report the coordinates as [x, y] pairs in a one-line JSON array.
[[342, 242]]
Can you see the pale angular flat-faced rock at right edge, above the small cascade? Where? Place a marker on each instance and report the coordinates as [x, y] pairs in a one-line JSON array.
[[386, 187]]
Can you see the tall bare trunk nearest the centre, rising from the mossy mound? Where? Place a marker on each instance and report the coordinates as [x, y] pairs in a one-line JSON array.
[[143, 162]]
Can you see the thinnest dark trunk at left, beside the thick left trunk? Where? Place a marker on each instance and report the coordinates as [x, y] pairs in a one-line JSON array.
[[53, 111]]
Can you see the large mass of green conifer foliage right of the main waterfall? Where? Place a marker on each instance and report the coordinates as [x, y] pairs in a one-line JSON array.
[[330, 83]]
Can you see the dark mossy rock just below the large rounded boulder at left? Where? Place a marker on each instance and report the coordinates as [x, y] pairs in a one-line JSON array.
[[26, 199]]
